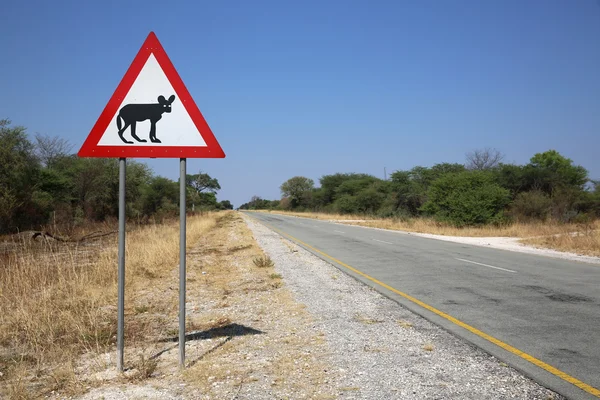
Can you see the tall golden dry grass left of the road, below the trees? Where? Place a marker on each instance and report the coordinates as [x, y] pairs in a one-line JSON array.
[[57, 301]]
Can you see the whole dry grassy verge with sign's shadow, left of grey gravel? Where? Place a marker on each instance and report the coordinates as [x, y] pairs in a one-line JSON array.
[[58, 317]]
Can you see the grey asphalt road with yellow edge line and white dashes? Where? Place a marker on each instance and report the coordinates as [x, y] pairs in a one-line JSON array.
[[547, 308]]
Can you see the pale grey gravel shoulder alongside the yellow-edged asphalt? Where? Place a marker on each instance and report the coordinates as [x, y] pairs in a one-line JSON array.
[[379, 349]]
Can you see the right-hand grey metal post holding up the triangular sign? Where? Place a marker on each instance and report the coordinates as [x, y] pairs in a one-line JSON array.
[[182, 229]]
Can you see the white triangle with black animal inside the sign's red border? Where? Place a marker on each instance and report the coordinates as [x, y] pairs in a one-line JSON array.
[[151, 114]]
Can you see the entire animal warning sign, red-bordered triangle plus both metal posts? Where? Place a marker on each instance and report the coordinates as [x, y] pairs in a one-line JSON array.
[[151, 114]]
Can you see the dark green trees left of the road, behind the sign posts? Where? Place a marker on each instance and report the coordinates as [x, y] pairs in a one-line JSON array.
[[42, 182]]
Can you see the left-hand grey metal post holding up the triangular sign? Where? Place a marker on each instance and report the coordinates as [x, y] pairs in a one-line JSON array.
[[121, 273]]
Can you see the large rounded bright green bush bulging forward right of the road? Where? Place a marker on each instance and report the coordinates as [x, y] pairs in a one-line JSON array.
[[467, 198]]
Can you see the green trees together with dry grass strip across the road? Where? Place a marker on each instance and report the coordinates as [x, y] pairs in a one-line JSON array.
[[549, 200]]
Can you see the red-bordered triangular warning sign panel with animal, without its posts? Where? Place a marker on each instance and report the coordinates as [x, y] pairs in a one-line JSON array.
[[151, 114]]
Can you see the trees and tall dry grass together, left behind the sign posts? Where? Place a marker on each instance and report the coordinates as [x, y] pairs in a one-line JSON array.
[[58, 256]]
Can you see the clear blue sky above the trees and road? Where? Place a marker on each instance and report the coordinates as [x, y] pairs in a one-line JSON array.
[[317, 87]]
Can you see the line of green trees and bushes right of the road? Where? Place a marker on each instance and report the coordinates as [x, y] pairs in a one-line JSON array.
[[484, 190]]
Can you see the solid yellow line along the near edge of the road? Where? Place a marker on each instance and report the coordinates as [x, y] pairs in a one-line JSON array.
[[554, 371]]
